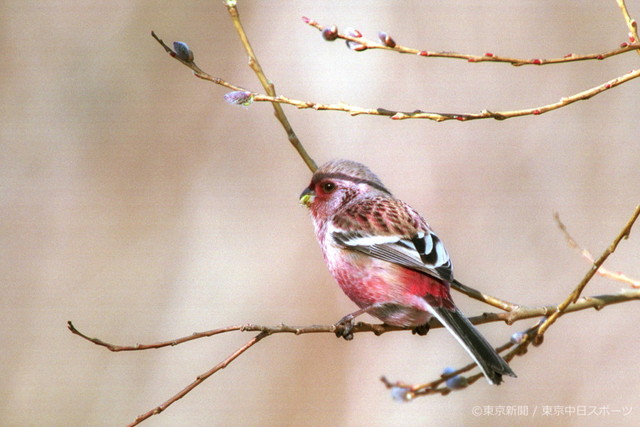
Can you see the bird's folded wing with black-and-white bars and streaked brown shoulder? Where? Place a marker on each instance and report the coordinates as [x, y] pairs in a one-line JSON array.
[[390, 230]]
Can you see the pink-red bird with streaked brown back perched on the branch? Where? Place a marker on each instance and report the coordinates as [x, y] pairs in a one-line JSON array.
[[388, 260]]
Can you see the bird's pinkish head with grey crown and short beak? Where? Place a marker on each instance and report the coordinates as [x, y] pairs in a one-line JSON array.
[[338, 182]]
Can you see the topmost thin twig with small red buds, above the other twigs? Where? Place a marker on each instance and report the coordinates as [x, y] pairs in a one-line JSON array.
[[366, 44]]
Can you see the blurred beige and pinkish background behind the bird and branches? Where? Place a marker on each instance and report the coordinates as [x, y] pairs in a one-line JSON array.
[[140, 205]]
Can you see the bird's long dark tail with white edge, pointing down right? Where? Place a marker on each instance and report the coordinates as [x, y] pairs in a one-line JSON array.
[[492, 365]]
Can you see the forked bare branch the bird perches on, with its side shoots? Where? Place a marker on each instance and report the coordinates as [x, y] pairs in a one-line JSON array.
[[532, 335]]
